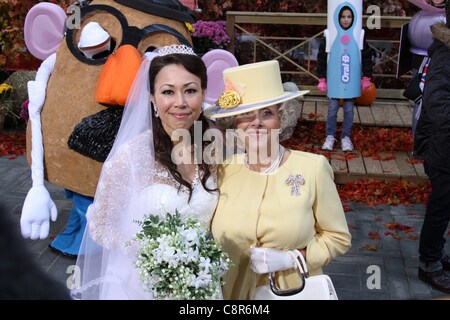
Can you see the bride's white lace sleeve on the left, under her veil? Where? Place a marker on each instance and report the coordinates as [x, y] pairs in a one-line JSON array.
[[110, 200]]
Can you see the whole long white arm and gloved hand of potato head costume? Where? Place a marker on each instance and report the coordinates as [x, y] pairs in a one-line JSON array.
[[38, 206]]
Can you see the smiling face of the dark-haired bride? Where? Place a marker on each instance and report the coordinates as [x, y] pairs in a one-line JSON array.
[[178, 98]]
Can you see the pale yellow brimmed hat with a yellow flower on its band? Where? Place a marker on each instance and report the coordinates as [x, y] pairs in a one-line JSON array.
[[251, 87]]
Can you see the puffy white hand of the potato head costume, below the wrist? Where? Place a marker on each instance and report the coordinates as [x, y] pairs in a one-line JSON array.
[[36, 212]]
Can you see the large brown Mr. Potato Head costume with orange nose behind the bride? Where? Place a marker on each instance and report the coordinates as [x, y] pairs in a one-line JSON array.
[[80, 80]]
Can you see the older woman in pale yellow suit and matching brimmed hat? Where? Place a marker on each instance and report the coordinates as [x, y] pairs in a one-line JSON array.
[[273, 200]]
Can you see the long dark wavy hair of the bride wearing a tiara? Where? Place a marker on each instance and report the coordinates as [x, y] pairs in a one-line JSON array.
[[162, 141]]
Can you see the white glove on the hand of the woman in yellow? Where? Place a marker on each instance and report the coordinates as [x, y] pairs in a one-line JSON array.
[[265, 260]]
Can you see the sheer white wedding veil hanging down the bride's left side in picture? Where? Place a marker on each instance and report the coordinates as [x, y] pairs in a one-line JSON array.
[[101, 268]]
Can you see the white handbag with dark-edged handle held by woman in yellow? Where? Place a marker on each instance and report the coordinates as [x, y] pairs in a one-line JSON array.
[[318, 287]]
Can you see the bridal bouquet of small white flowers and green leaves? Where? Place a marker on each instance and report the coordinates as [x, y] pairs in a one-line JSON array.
[[177, 260]]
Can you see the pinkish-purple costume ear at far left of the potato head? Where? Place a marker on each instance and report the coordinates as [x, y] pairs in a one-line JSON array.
[[44, 29]]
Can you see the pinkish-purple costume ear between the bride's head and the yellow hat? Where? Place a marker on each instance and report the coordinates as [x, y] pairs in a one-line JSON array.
[[216, 61]]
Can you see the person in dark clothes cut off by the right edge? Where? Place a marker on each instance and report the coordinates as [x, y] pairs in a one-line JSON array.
[[432, 144]]
